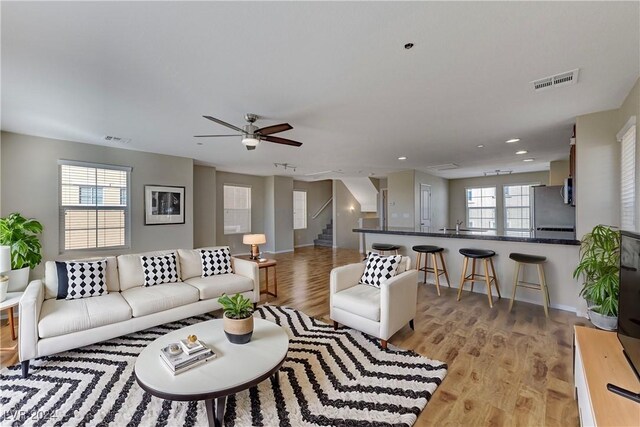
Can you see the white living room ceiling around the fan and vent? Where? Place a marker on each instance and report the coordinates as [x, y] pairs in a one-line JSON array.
[[337, 72]]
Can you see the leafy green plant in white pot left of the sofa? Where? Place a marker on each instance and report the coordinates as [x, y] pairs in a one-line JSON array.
[[21, 235]]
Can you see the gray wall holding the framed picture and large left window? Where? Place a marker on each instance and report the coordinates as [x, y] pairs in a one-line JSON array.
[[30, 186]]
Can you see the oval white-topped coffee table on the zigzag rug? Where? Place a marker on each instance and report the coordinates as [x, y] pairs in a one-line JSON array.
[[237, 367]]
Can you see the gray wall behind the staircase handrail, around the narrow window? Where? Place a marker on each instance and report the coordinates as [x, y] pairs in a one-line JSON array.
[[318, 193]]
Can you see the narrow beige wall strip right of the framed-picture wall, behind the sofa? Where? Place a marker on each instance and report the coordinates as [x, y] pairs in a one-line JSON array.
[[204, 206]]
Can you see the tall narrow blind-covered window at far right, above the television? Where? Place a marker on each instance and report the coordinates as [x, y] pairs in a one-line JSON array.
[[628, 180]]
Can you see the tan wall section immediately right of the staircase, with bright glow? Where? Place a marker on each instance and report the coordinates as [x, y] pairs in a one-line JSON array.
[[346, 212]]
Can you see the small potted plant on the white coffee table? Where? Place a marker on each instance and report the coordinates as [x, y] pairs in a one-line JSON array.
[[238, 318]]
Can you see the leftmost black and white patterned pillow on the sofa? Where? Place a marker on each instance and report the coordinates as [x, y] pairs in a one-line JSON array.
[[81, 279]]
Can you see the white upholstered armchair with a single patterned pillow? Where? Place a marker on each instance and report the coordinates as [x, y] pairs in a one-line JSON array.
[[377, 312]]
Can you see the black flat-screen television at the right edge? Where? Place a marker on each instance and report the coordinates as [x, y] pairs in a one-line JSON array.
[[629, 299]]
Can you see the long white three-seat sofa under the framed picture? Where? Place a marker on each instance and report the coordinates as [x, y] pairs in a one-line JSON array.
[[49, 325]]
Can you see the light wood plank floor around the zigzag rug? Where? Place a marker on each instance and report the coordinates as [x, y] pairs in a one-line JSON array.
[[504, 368]]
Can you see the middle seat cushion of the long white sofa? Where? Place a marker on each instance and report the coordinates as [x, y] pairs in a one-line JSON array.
[[148, 300]]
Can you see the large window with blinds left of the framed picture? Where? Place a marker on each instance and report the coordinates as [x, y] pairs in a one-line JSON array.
[[94, 206]]
